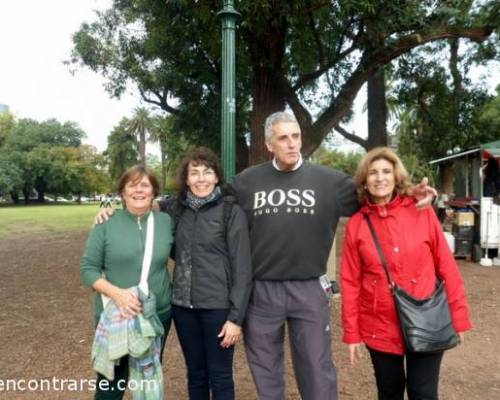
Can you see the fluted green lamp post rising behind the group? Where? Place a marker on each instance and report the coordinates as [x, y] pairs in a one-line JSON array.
[[229, 17]]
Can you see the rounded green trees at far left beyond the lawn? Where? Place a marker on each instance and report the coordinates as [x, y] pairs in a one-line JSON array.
[[48, 156]]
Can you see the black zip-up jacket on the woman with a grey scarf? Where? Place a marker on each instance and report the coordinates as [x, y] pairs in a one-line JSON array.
[[213, 264]]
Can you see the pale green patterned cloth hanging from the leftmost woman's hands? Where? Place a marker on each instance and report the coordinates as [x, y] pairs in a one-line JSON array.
[[140, 339]]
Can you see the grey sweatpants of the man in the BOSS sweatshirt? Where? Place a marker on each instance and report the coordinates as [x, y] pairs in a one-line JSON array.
[[306, 309]]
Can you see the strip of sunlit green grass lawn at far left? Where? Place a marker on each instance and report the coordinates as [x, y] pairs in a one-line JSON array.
[[17, 220]]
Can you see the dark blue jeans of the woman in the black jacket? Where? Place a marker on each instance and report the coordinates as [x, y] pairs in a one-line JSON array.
[[209, 366]]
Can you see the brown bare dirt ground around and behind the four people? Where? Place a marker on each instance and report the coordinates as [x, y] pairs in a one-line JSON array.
[[46, 331]]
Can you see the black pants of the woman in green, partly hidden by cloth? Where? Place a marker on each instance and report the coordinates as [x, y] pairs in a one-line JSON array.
[[115, 389]]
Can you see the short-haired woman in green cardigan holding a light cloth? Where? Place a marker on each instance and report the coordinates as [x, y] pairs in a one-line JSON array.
[[113, 258]]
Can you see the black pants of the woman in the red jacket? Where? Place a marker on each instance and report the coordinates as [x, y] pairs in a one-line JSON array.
[[421, 378]]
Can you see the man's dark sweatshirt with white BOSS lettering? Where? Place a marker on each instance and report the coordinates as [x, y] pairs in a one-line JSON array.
[[292, 217]]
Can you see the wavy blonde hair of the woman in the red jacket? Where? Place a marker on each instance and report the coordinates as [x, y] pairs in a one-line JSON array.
[[402, 181]]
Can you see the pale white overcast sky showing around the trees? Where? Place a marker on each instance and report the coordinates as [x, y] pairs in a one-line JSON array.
[[35, 39]]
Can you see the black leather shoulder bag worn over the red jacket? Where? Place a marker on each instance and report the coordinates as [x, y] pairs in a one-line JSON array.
[[425, 323]]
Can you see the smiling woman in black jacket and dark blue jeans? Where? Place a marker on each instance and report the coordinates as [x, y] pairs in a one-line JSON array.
[[212, 275]]
